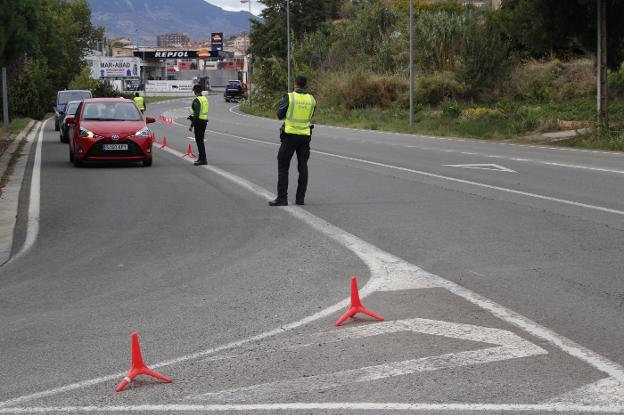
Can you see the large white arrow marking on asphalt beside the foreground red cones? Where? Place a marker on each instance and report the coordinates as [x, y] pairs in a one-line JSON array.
[[509, 346]]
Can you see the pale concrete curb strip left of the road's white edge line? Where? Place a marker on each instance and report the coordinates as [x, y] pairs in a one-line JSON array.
[[9, 199]]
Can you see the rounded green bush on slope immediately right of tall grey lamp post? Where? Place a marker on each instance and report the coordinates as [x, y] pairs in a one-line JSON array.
[[435, 88]]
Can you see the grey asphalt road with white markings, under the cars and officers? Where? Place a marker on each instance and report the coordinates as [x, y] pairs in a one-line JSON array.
[[497, 267]]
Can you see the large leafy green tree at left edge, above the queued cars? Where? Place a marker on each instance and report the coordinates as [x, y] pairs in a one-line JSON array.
[[43, 43]]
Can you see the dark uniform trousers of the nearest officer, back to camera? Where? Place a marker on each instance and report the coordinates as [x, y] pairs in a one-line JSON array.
[[293, 143]]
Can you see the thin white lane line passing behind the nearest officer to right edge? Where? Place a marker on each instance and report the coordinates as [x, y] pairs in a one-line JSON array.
[[447, 178]]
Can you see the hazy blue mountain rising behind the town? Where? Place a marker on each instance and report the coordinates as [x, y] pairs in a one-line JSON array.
[[142, 20]]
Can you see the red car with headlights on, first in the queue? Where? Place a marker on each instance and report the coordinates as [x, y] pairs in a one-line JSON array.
[[108, 129]]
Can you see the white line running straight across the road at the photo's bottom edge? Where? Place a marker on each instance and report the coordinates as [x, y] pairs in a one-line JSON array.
[[346, 406]]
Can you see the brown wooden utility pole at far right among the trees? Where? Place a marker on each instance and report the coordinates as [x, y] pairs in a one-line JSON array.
[[601, 70]]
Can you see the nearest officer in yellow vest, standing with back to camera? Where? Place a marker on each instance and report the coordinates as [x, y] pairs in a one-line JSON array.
[[296, 109]]
